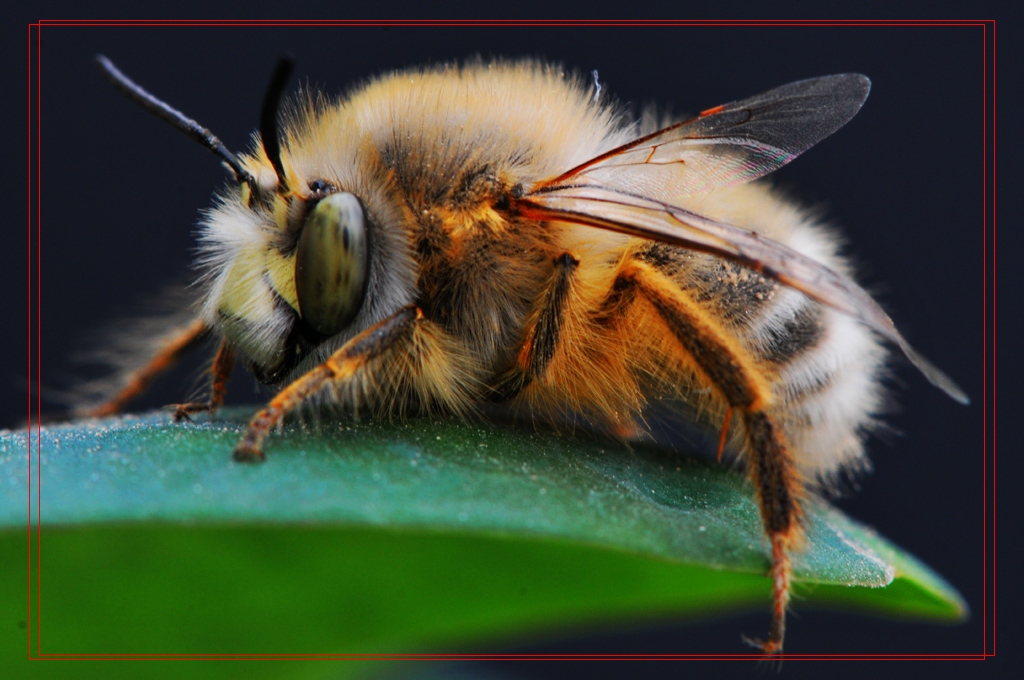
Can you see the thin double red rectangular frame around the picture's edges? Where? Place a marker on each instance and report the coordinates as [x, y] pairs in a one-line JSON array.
[[990, 284]]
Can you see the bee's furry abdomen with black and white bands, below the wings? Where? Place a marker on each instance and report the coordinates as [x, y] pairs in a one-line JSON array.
[[823, 367]]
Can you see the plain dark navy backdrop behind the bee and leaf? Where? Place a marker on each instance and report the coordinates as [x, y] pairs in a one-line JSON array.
[[121, 193]]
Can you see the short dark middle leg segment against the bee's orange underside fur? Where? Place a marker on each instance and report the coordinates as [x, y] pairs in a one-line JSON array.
[[541, 338]]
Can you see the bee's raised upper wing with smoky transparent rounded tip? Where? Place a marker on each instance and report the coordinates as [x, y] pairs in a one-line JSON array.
[[729, 145]]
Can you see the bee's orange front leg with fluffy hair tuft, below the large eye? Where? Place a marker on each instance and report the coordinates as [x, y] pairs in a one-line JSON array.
[[405, 357]]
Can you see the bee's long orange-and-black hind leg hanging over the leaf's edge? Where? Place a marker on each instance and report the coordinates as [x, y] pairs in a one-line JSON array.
[[721, 363]]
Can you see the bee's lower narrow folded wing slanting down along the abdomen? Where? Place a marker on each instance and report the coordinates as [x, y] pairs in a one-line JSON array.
[[649, 219]]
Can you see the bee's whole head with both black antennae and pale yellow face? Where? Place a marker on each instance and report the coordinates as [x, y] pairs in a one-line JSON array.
[[287, 262]]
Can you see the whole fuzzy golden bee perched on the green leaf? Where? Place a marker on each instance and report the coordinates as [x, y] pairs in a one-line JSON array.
[[445, 238]]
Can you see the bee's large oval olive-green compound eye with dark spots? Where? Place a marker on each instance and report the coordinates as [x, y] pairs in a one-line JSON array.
[[331, 264]]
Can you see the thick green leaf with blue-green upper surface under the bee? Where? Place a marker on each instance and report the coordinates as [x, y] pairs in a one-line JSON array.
[[398, 538]]
